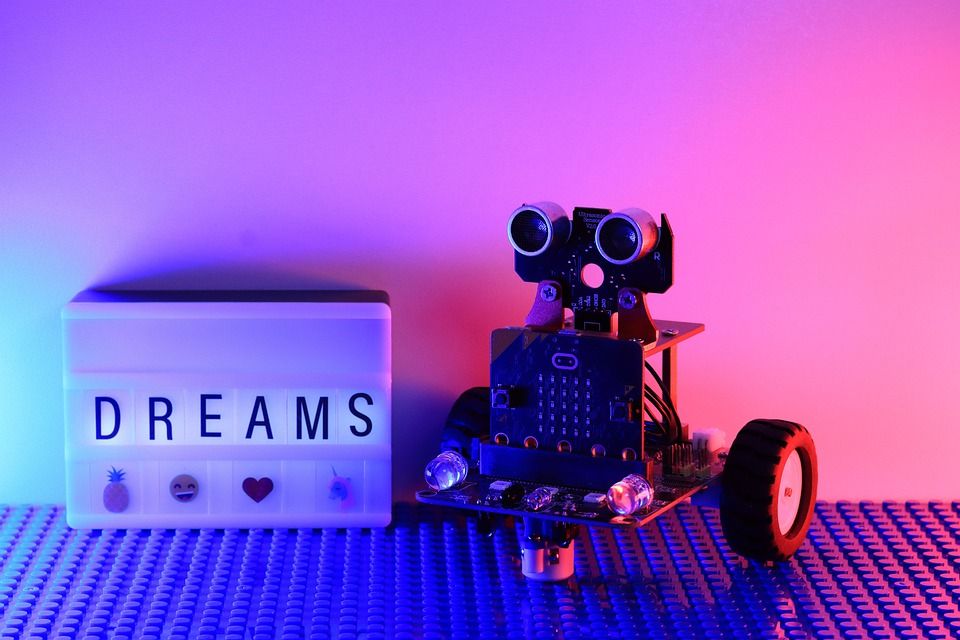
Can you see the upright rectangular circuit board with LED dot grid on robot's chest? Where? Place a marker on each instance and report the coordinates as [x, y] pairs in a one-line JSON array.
[[567, 388]]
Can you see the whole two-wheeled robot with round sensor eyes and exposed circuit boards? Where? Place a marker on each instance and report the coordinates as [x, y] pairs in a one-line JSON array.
[[578, 427]]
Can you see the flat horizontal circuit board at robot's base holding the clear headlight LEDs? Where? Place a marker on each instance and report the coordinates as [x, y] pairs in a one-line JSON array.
[[570, 504]]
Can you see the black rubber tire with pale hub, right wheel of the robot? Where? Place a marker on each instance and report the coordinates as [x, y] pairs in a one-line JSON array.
[[752, 495]]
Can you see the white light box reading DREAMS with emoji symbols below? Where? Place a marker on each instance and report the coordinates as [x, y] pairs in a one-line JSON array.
[[190, 409]]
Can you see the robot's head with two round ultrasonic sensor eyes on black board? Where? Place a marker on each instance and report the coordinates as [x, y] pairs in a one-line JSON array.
[[593, 257]]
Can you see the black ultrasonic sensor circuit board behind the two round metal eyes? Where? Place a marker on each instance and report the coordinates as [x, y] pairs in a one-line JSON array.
[[564, 263]]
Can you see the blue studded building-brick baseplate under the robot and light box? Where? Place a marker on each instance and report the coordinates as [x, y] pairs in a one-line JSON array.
[[866, 570]]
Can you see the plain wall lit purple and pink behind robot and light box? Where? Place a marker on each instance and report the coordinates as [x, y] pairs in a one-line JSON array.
[[807, 154]]
